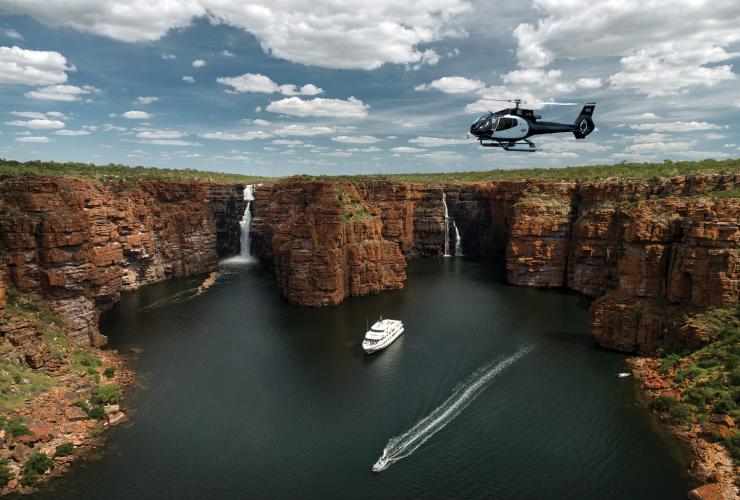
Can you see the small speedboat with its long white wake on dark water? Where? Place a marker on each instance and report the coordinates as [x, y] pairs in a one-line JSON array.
[[464, 393]]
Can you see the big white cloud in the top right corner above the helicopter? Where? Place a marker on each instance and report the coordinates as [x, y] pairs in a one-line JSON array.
[[661, 53]]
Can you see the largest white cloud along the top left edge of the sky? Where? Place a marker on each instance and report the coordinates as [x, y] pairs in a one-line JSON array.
[[325, 33]]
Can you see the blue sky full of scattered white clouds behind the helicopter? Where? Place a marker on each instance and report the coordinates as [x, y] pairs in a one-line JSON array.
[[283, 87]]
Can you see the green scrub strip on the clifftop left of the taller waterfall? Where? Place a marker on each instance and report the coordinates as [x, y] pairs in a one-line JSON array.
[[115, 171]]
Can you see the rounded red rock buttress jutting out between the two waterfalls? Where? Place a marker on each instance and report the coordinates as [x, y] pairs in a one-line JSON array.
[[326, 243]]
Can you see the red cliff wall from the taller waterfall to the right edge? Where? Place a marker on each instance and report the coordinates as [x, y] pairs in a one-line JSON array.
[[639, 247]]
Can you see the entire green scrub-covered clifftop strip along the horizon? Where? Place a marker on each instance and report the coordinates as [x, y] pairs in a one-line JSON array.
[[590, 172]]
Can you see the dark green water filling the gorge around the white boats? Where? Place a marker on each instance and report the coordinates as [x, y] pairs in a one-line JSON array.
[[248, 397]]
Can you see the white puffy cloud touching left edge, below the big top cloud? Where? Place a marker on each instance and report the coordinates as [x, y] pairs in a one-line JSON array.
[[32, 67]]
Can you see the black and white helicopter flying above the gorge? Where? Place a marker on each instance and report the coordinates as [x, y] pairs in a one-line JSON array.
[[511, 127]]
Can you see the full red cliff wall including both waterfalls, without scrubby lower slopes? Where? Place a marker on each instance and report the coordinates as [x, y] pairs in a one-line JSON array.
[[652, 253]]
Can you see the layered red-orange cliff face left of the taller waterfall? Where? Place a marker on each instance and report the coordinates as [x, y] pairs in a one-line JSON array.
[[78, 244]]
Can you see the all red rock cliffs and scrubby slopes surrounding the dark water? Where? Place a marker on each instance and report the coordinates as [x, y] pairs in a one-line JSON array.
[[657, 248]]
